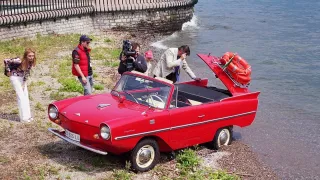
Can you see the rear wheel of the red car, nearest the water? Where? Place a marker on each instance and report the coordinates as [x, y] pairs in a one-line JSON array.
[[223, 137]]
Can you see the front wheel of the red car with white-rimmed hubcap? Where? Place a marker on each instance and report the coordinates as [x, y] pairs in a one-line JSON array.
[[145, 155]]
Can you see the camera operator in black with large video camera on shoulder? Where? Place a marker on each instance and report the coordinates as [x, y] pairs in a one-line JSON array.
[[130, 58]]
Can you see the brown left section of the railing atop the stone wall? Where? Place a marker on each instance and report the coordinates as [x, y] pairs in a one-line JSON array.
[[22, 11]]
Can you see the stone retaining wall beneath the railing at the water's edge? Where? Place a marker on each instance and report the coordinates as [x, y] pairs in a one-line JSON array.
[[164, 19]]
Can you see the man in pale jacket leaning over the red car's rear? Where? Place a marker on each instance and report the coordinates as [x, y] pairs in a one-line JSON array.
[[170, 62]]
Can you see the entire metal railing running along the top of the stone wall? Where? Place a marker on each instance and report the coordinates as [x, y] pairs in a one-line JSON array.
[[23, 11]]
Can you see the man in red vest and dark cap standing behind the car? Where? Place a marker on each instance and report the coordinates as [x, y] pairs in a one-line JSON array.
[[81, 65]]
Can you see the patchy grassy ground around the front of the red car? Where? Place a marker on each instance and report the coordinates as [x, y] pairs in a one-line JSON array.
[[30, 152]]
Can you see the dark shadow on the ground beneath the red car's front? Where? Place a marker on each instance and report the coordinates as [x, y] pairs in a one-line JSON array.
[[79, 159]]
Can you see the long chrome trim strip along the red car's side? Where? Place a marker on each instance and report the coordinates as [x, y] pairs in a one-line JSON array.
[[183, 126]]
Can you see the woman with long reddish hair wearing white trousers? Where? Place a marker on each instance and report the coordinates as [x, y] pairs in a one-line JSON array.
[[19, 71]]
